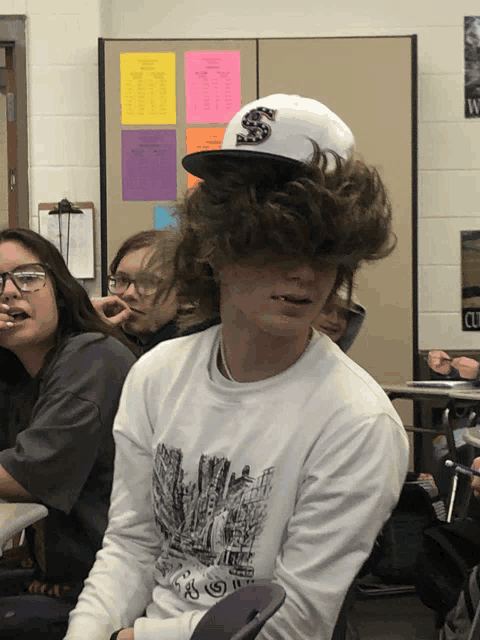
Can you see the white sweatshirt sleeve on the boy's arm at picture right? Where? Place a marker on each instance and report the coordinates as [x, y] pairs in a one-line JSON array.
[[347, 493]]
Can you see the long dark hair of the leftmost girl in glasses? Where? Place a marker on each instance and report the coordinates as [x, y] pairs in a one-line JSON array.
[[76, 313]]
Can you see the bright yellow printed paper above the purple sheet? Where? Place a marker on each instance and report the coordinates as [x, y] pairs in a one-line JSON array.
[[147, 88]]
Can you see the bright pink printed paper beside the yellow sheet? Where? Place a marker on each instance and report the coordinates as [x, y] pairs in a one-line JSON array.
[[212, 85]]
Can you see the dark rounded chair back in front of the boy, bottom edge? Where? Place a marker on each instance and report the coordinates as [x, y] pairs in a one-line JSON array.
[[242, 614]]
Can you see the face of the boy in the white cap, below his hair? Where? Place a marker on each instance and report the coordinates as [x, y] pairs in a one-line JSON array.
[[279, 297]]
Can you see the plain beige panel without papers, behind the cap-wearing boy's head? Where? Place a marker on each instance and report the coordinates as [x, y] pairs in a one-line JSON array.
[[368, 83]]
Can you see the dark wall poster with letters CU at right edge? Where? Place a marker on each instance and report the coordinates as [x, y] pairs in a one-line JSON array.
[[470, 256]]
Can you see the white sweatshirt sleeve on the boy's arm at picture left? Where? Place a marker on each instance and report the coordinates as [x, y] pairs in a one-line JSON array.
[[120, 584]]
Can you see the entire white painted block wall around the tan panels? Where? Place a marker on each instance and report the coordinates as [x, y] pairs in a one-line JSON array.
[[62, 57]]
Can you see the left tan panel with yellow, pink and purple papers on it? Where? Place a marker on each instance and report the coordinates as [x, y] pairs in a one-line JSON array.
[[122, 214]]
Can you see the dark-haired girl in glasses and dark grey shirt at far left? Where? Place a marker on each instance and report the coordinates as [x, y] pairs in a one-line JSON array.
[[62, 371]]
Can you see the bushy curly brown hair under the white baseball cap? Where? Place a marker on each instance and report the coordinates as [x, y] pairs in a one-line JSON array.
[[315, 212]]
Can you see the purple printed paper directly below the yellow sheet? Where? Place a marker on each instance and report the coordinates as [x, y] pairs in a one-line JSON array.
[[149, 164]]
